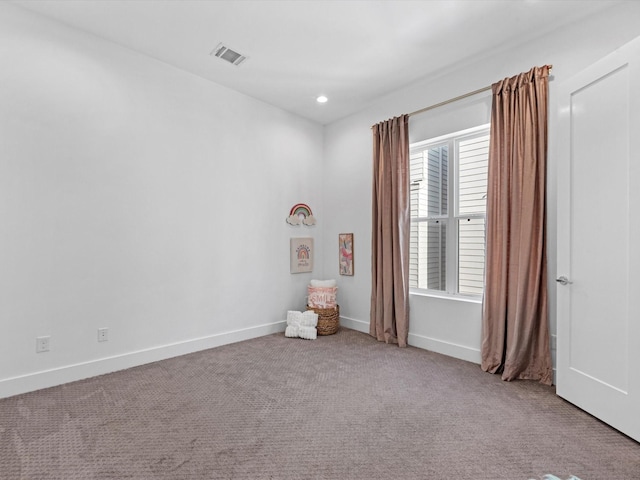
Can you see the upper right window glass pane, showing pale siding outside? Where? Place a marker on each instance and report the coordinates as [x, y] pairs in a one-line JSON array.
[[473, 159]]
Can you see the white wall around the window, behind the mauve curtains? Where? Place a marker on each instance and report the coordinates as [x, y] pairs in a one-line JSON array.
[[442, 325]]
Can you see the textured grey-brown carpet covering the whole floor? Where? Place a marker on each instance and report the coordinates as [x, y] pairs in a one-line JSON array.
[[340, 407]]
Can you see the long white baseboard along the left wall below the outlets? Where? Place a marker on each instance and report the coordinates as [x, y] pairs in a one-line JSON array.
[[70, 373]]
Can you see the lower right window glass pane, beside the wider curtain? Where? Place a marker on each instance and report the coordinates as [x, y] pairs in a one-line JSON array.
[[471, 234]]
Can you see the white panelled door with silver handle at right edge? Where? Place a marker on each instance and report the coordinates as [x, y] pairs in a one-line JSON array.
[[598, 337]]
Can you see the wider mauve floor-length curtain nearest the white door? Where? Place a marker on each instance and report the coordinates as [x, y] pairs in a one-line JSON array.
[[515, 330]]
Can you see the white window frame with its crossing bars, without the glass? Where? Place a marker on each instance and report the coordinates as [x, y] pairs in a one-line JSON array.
[[453, 217]]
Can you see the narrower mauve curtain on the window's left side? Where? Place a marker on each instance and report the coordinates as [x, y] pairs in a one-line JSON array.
[[389, 320]]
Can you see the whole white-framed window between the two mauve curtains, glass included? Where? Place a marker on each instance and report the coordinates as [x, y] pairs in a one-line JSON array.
[[448, 207]]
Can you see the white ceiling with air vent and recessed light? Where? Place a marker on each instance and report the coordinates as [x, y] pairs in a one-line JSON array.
[[352, 51]]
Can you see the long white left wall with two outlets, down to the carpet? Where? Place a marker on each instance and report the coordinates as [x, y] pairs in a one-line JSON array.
[[141, 198]]
